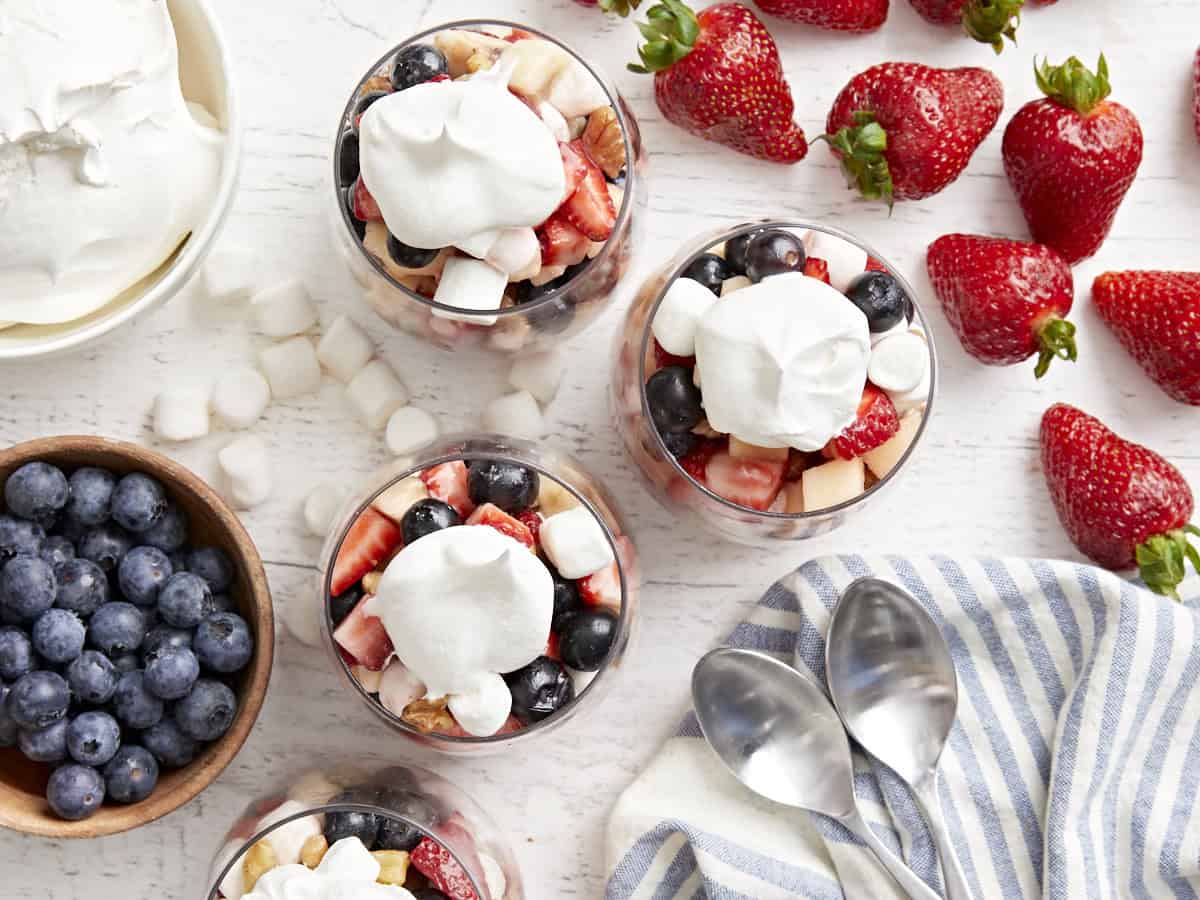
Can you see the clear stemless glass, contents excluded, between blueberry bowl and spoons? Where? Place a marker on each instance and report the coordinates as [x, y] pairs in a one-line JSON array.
[[572, 487]]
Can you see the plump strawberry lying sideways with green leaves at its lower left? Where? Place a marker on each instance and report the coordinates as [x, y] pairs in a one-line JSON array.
[[904, 131]]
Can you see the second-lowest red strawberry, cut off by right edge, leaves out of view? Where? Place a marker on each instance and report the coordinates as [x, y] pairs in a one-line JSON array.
[[1156, 316]]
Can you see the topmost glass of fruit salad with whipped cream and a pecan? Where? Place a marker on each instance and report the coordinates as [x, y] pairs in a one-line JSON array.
[[487, 182]]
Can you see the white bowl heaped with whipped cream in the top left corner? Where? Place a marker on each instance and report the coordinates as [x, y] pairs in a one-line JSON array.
[[104, 142]]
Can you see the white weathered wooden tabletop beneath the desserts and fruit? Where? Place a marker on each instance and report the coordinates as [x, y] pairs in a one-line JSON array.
[[976, 488]]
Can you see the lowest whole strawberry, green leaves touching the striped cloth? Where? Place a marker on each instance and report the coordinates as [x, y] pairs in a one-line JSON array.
[[1121, 503]]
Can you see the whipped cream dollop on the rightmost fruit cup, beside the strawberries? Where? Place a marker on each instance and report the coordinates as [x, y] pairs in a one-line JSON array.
[[783, 363]]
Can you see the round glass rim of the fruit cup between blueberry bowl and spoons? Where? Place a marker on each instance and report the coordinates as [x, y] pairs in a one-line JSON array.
[[625, 619]]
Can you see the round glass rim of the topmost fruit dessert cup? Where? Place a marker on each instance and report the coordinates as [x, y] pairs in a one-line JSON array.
[[623, 215]]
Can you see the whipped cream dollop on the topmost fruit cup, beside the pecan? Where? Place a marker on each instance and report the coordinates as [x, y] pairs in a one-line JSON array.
[[451, 163]]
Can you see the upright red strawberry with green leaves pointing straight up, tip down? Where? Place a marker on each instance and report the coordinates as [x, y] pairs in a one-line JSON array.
[[1071, 158]]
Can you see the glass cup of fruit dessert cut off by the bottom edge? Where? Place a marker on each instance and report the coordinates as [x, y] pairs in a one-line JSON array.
[[423, 831]]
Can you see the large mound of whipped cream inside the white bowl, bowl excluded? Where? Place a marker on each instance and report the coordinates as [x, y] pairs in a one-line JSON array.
[[104, 167]]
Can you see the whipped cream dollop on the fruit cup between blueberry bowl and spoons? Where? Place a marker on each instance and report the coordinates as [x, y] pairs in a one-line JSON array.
[[463, 607]]
